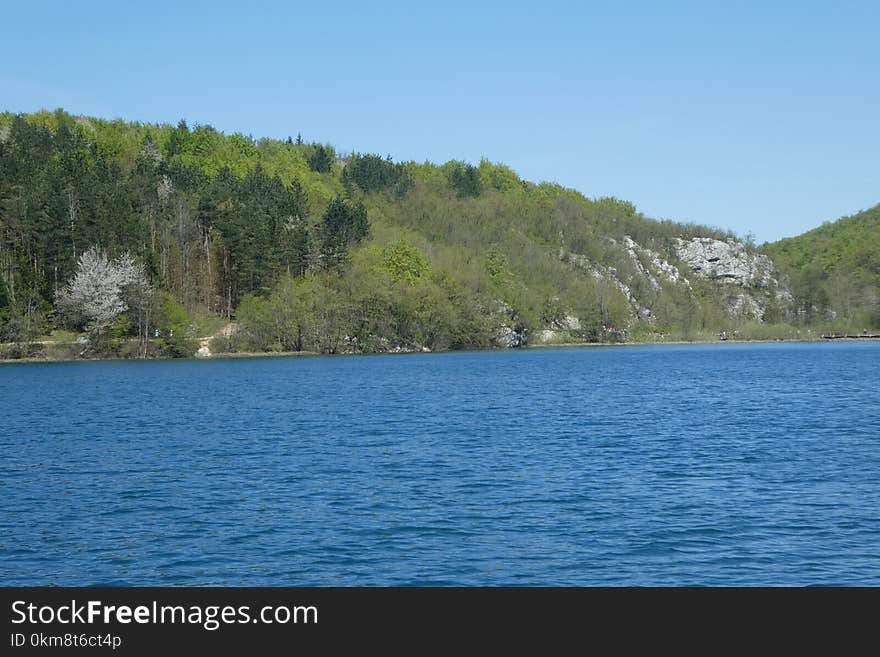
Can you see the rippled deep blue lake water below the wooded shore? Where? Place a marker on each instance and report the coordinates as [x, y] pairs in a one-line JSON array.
[[720, 464]]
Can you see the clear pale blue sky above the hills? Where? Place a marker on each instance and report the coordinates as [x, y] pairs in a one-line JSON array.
[[753, 116]]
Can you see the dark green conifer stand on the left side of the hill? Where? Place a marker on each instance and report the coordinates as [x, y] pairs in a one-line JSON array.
[[207, 238]]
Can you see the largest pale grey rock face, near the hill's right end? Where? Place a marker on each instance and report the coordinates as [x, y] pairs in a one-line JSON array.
[[725, 262]]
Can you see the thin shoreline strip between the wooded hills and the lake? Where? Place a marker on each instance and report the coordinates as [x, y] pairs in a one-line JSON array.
[[561, 345]]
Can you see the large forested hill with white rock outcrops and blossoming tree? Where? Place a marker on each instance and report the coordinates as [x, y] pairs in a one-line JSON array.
[[140, 239]]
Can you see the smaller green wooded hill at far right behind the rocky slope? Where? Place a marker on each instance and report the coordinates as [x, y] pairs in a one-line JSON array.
[[835, 269]]
